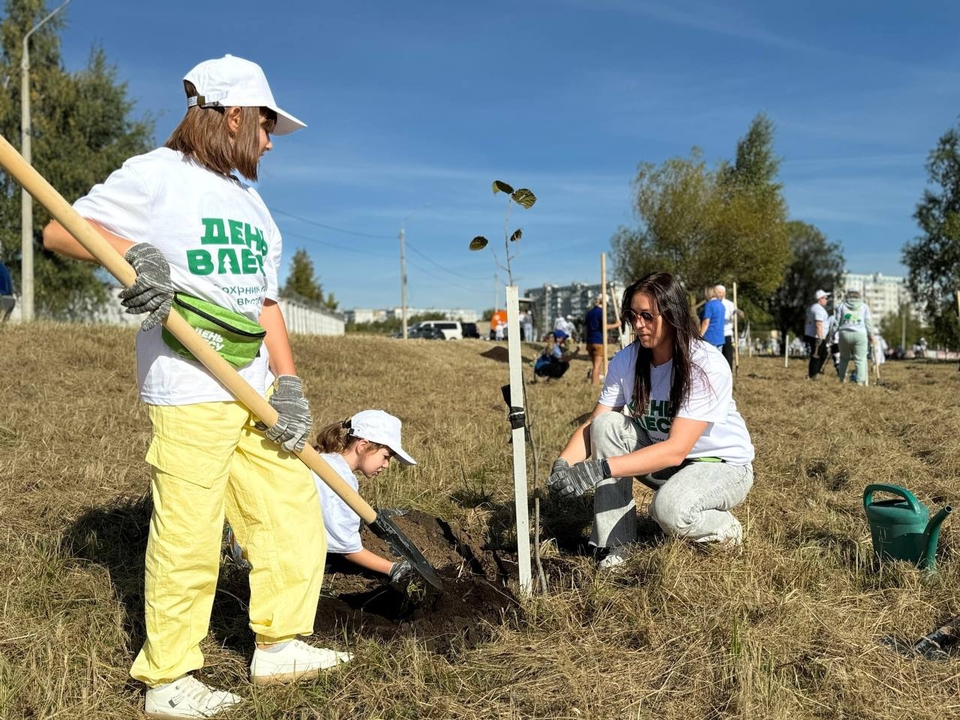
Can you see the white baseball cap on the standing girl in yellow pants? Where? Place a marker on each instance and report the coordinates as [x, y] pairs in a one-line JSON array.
[[234, 82]]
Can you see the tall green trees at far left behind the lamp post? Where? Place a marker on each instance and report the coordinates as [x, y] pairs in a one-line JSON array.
[[82, 131]]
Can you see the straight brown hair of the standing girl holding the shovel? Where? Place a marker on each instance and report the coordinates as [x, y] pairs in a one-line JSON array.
[[203, 135]]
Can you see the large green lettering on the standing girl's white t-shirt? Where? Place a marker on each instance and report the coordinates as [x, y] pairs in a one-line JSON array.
[[243, 254]]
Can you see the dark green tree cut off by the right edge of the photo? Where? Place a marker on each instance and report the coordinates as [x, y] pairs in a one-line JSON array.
[[933, 258]]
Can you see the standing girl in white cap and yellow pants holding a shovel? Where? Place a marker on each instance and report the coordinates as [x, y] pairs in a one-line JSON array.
[[187, 223]]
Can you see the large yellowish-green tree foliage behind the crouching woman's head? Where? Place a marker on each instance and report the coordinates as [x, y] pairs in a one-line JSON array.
[[710, 226]]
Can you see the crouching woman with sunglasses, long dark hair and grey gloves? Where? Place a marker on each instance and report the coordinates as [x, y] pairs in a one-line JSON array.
[[666, 416]]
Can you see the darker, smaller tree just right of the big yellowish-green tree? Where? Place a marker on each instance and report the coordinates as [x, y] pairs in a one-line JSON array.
[[815, 264]]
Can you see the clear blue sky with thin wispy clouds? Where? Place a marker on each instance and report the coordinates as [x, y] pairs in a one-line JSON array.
[[415, 108]]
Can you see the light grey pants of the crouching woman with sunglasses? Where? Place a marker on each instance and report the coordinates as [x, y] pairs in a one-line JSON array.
[[693, 501]]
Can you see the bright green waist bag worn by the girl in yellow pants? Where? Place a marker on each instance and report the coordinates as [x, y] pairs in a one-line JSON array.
[[235, 337]]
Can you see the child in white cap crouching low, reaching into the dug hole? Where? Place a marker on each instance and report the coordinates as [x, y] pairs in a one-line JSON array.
[[365, 443]]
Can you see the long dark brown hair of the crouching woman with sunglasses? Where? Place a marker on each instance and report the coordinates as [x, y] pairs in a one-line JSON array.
[[672, 303]]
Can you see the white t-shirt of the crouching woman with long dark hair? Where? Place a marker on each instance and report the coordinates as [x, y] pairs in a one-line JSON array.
[[710, 400]]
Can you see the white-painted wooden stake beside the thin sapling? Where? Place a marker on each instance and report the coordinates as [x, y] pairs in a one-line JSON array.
[[519, 440]]
